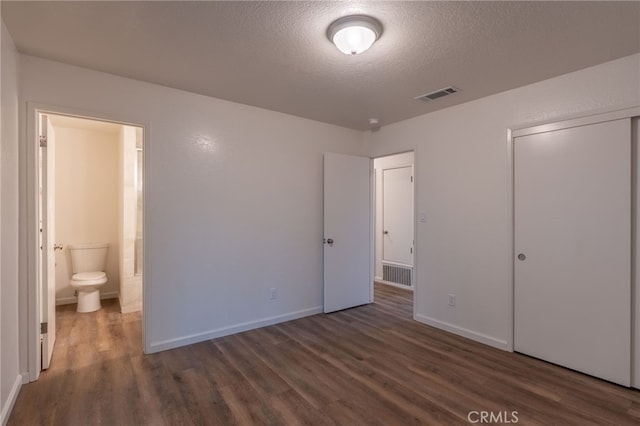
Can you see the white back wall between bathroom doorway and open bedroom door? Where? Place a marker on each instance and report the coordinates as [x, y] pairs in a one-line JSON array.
[[233, 201]]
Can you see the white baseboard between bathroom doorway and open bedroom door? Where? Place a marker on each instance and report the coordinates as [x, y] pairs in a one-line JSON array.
[[225, 331]]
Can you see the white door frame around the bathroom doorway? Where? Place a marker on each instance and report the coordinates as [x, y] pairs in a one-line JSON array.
[[32, 328]]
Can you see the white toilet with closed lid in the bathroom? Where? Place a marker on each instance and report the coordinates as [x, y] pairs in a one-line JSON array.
[[88, 262]]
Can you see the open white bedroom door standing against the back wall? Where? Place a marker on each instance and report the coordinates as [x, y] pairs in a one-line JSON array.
[[348, 277]]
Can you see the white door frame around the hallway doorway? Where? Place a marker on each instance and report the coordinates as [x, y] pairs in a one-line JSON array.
[[415, 224]]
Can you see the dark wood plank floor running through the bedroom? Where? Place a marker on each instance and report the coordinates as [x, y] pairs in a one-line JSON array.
[[370, 365]]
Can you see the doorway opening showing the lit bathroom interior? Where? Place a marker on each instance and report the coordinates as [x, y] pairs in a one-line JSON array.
[[90, 193]]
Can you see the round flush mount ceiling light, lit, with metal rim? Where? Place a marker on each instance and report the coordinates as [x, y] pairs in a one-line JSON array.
[[354, 34]]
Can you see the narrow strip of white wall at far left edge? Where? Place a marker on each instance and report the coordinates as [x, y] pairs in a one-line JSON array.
[[10, 379]]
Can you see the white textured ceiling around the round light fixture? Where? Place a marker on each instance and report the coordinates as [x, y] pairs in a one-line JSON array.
[[275, 55]]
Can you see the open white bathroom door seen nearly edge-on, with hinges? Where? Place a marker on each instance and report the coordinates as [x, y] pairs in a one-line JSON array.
[[47, 221]]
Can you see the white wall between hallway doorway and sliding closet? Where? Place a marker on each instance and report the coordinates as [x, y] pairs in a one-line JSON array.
[[461, 169]]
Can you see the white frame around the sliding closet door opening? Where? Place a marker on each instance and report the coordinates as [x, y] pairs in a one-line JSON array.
[[549, 126]]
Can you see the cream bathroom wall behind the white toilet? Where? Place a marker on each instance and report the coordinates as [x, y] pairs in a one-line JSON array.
[[86, 202]]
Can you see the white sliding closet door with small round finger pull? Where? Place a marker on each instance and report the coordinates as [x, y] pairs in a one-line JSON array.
[[572, 211]]
